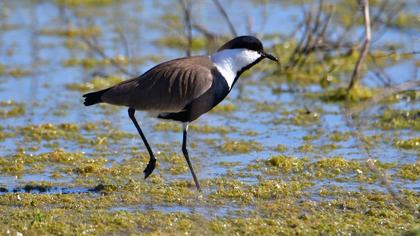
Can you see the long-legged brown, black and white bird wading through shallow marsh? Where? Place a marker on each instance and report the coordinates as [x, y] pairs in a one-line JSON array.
[[183, 89]]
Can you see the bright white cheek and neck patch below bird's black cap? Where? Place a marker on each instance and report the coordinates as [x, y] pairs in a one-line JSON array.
[[230, 61]]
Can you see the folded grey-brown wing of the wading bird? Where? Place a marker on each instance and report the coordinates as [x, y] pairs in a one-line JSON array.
[[167, 87]]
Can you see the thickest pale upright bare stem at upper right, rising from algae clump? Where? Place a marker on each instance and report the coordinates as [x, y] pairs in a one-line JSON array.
[[368, 36]]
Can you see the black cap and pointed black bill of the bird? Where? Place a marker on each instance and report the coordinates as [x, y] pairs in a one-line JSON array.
[[250, 43]]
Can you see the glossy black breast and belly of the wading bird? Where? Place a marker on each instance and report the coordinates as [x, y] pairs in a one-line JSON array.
[[217, 92]]
